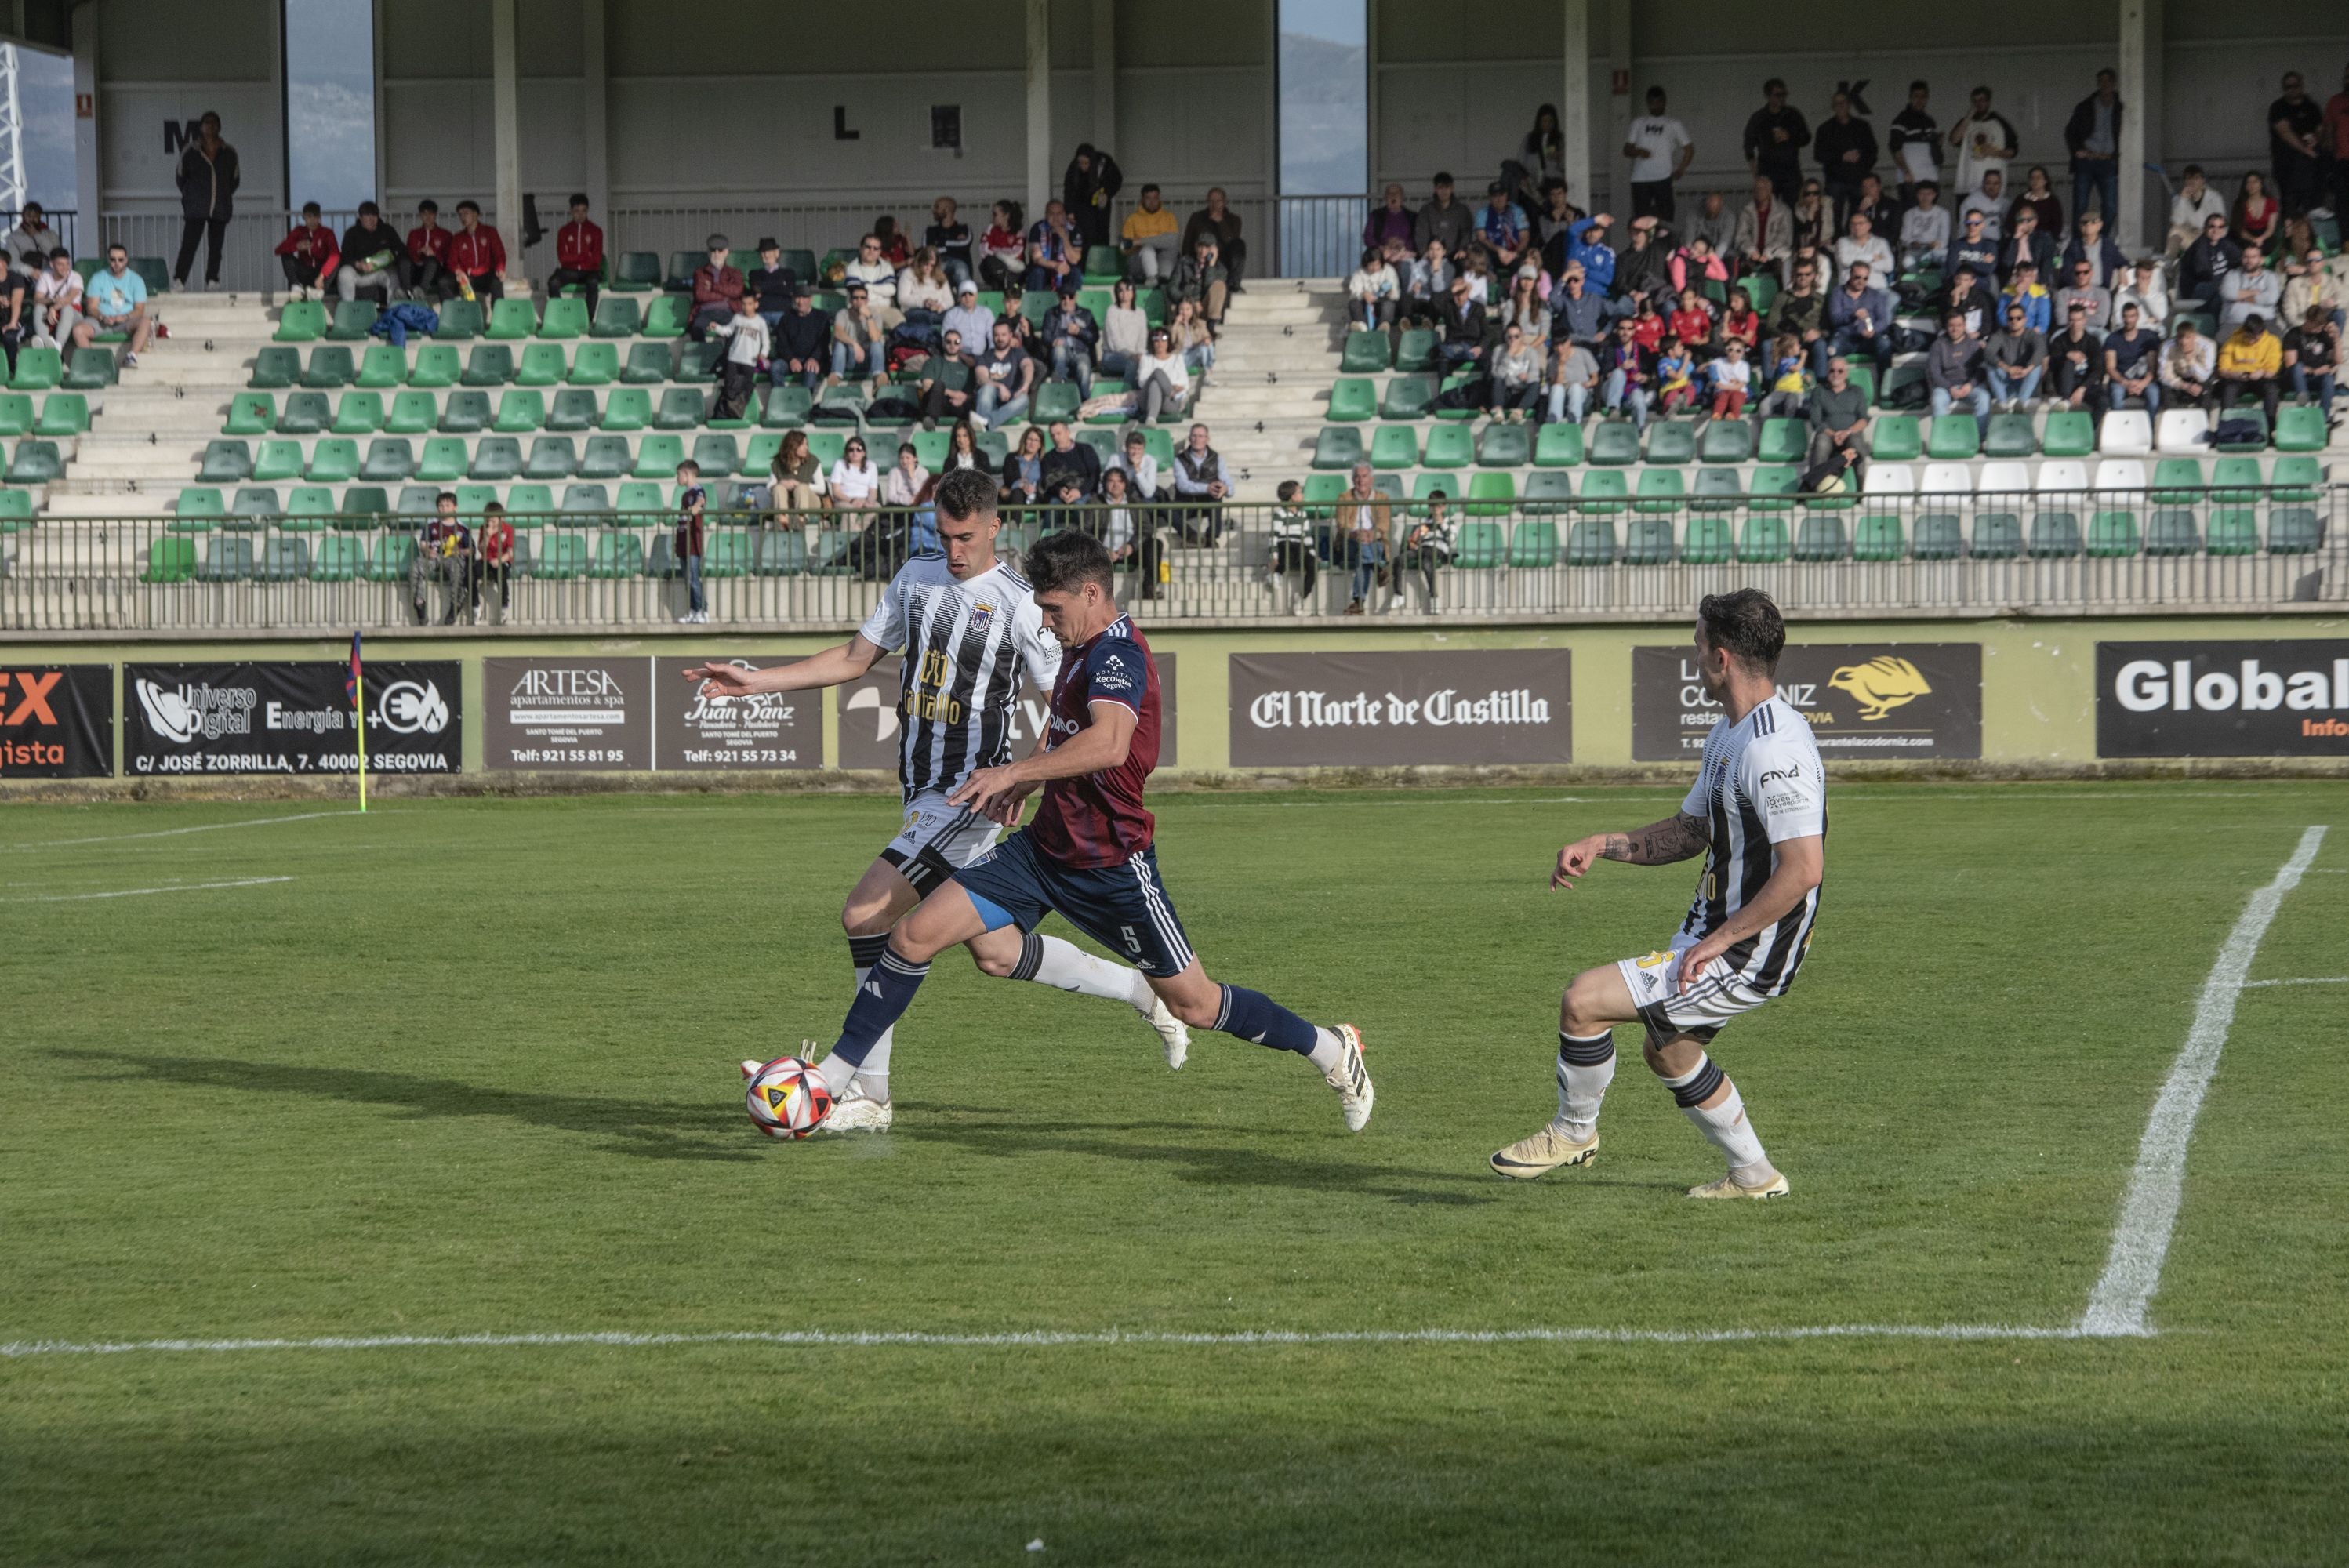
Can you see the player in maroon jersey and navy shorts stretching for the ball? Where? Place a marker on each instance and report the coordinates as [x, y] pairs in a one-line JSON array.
[[1091, 849]]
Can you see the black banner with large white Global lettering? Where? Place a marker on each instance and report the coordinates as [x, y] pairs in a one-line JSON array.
[[2266, 698]]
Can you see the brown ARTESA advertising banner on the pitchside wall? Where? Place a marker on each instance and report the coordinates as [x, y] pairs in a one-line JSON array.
[[560, 715]]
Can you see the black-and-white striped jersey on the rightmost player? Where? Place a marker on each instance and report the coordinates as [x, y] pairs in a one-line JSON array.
[[1761, 783]]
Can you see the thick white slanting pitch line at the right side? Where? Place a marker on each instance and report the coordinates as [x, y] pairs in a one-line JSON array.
[[2141, 1243]]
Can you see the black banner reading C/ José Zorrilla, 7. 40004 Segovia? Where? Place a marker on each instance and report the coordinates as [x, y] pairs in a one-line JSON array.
[[290, 719]]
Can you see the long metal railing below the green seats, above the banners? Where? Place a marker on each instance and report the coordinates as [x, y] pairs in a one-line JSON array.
[[1937, 555]]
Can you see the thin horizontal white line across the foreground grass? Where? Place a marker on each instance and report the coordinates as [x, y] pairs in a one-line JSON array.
[[1054, 1339]]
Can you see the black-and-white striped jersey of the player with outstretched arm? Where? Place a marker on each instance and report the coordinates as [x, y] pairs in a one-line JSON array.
[[964, 654]]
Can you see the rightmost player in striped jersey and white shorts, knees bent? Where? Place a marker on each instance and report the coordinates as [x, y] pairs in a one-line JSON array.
[[1758, 813]]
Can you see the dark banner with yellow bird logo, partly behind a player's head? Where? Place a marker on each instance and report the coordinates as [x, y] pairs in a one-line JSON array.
[[1864, 701]]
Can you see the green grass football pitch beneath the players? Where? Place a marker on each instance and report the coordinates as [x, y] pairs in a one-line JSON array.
[[473, 1072]]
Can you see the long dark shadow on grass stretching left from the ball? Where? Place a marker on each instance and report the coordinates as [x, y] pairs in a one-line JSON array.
[[631, 1128]]
